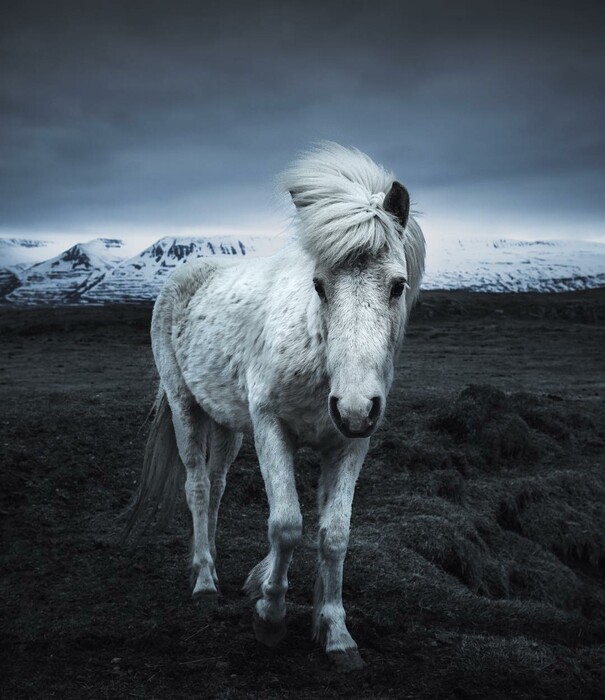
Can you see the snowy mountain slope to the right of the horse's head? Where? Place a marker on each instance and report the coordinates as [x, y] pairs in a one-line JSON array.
[[515, 265]]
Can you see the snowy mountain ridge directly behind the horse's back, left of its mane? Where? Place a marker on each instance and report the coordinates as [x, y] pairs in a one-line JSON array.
[[140, 278]]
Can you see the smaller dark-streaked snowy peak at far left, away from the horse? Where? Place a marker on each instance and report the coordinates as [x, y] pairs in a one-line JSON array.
[[67, 276]]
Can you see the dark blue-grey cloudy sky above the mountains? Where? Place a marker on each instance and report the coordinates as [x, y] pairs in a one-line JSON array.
[[178, 115]]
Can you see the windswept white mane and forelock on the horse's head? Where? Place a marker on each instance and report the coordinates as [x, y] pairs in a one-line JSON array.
[[338, 193]]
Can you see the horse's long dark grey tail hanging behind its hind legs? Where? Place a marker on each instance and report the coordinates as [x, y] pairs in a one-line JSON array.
[[155, 499]]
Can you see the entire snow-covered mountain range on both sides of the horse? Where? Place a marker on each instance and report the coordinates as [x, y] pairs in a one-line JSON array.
[[97, 272]]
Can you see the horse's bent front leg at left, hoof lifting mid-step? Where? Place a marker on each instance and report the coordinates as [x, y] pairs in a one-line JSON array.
[[267, 583]]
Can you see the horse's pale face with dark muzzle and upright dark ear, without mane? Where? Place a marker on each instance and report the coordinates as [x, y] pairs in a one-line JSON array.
[[361, 310]]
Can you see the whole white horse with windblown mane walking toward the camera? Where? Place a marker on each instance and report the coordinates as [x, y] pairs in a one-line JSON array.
[[300, 348]]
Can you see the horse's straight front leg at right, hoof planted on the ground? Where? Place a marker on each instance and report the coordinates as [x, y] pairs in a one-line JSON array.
[[339, 473]]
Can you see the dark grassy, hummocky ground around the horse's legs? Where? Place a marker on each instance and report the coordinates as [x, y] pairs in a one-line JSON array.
[[477, 559]]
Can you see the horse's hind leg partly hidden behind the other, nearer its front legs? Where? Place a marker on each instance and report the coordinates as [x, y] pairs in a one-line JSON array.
[[223, 447]]
